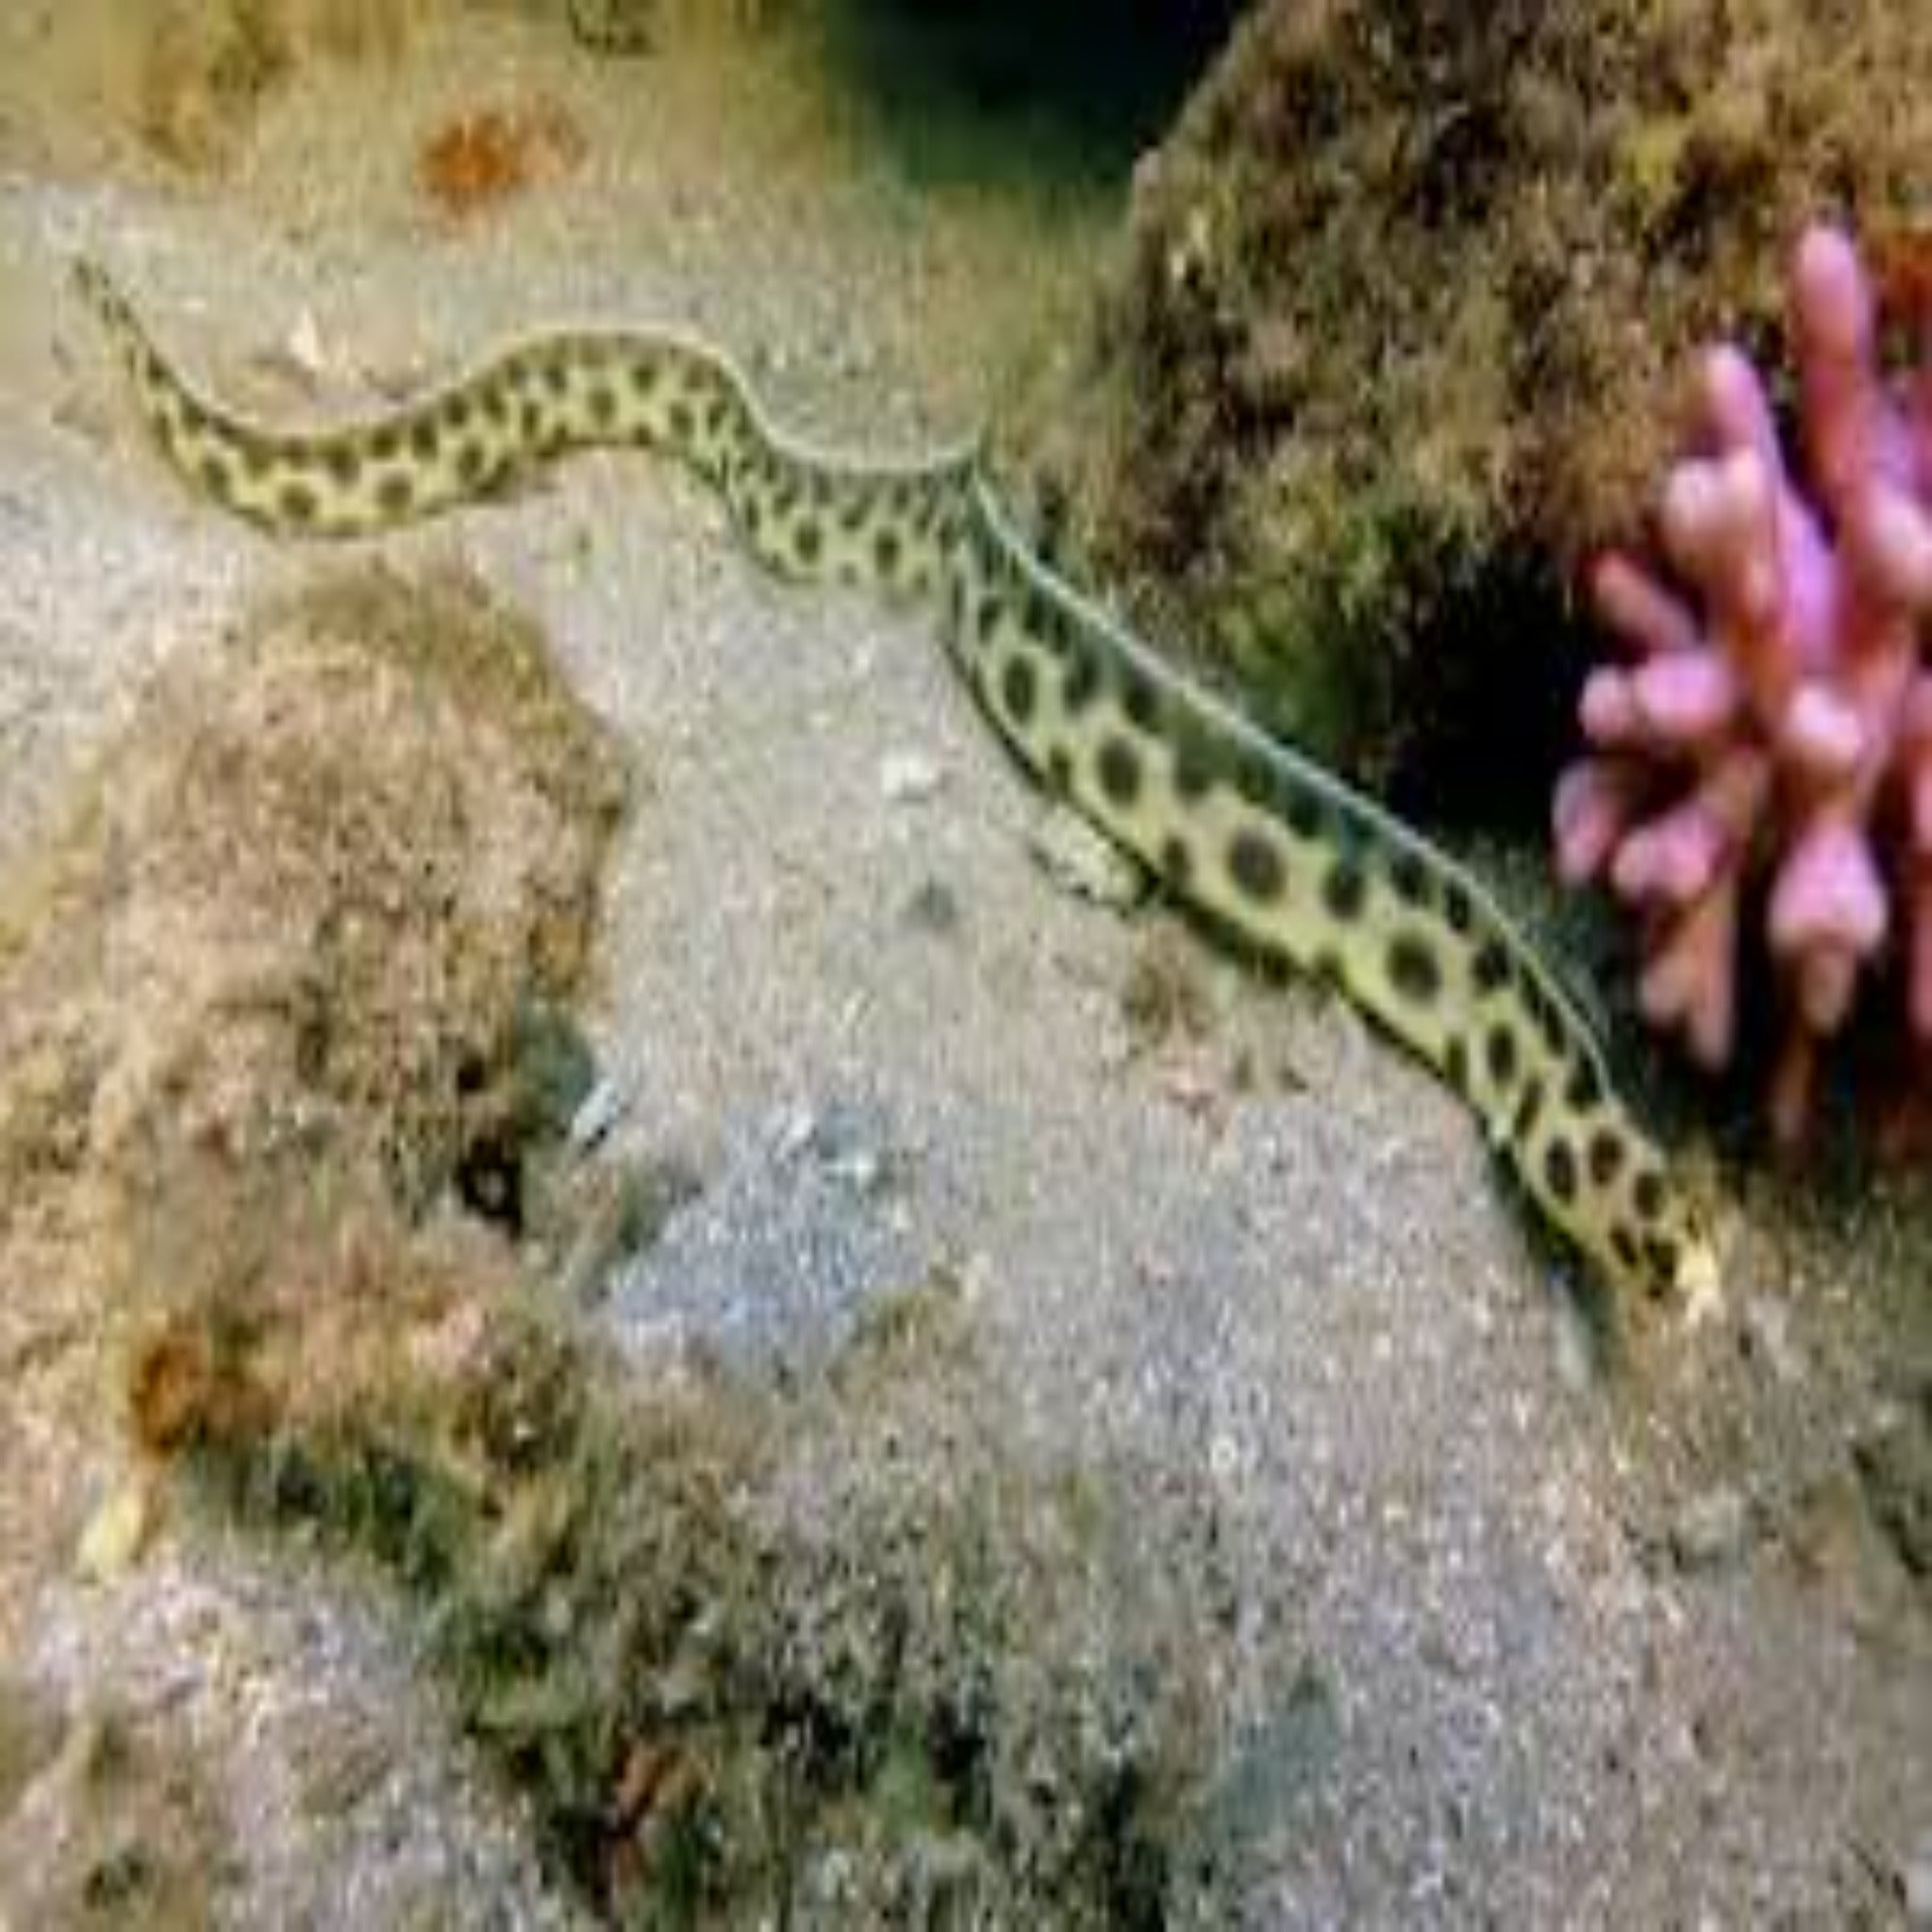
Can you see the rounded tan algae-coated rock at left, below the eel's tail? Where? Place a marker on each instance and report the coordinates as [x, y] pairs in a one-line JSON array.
[[322, 897]]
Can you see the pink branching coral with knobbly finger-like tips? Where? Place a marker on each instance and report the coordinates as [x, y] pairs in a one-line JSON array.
[[1771, 747]]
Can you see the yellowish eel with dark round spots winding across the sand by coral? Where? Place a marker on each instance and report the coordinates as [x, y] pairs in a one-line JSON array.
[[1236, 824]]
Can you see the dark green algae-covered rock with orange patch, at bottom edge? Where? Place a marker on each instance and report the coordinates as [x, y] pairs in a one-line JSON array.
[[838, 1655]]
